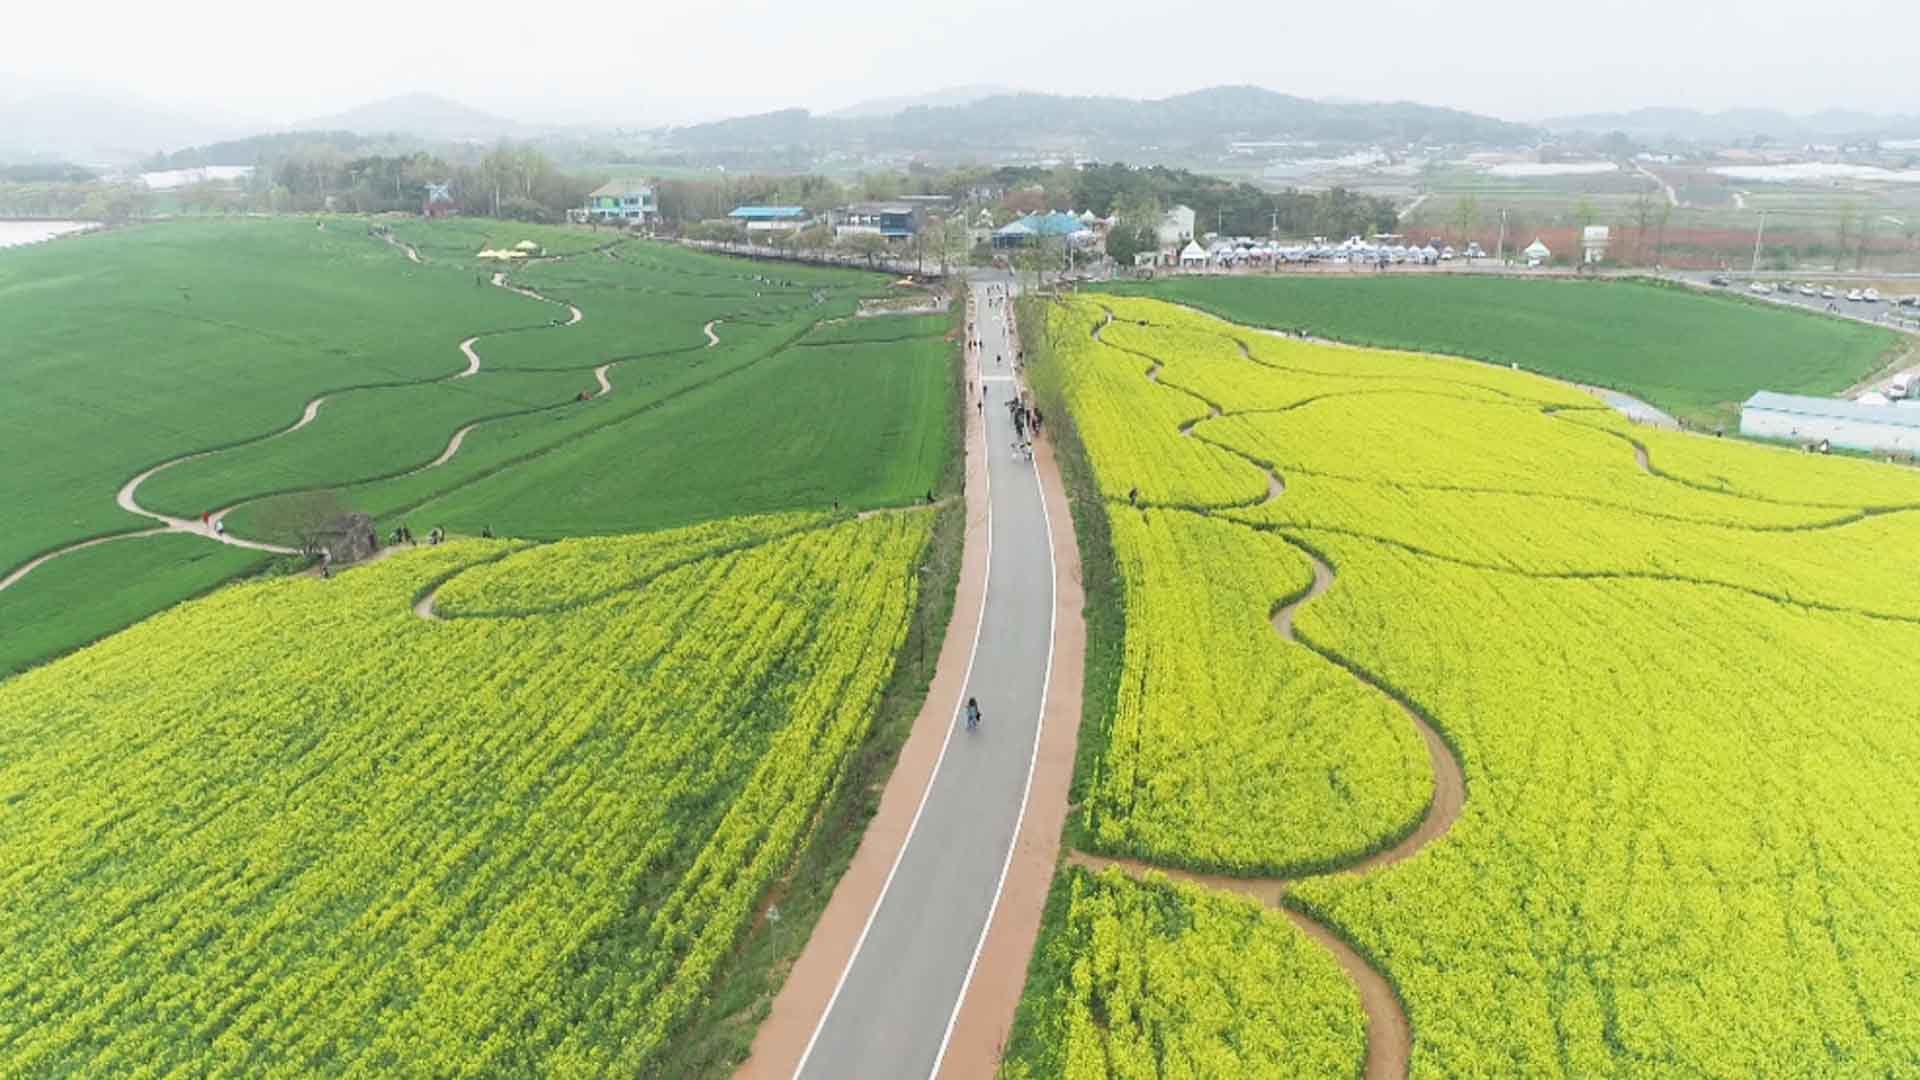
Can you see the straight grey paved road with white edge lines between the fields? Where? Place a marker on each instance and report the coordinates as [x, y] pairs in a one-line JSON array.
[[894, 1010]]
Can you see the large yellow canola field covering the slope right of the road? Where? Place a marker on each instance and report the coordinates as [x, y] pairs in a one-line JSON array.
[[1691, 816]]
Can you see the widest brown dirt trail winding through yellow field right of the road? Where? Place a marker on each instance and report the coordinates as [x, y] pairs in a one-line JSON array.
[[1389, 1033]]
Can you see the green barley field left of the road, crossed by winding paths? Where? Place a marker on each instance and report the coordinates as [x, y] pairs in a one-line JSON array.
[[137, 347]]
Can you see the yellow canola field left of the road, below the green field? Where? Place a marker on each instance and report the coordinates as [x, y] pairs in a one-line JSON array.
[[299, 831]]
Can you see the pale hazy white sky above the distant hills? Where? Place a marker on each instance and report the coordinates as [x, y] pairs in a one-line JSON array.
[[650, 64]]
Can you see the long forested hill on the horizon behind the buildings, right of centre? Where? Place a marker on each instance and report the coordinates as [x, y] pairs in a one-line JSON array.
[[1107, 126]]
